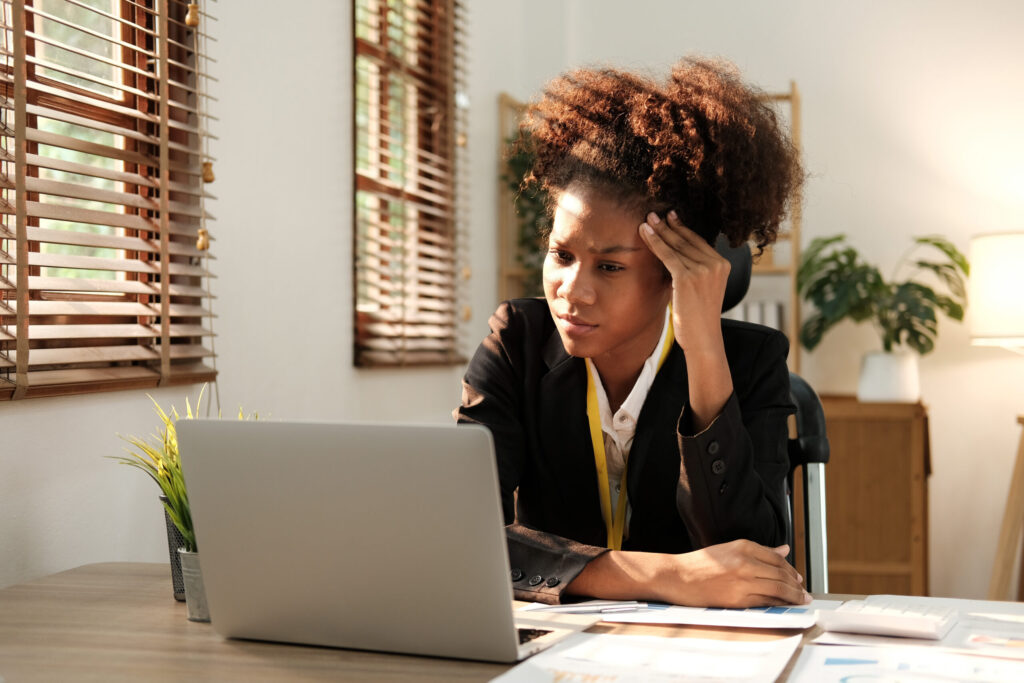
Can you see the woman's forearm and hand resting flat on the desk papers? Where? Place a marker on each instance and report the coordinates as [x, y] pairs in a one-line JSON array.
[[739, 574]]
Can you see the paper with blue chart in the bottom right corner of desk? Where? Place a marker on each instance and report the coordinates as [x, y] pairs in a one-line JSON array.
[[823, 664]]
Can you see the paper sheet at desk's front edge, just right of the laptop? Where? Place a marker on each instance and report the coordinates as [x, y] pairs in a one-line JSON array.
[[591, 658]]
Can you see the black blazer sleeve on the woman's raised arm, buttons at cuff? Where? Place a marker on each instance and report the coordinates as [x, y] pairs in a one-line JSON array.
[[733, 479]]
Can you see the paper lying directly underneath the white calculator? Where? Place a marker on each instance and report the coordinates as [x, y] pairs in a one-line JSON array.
[[986, 627]]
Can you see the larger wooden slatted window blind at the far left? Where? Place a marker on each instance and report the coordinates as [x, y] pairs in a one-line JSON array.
[[103, 282]]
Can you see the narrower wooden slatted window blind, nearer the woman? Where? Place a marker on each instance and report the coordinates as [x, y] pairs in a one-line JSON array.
[[410, 109]]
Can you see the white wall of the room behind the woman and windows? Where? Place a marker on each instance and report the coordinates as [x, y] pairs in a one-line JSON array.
[[910, 113]]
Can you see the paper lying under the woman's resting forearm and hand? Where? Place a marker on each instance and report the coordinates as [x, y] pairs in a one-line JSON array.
[[785, 617]]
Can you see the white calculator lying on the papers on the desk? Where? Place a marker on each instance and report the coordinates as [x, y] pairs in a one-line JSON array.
[[889, 618]]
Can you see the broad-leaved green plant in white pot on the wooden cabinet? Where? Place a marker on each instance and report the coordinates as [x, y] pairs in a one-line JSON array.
[[836, 280]]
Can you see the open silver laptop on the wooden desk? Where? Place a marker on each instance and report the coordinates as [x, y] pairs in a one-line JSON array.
[[370, 537]]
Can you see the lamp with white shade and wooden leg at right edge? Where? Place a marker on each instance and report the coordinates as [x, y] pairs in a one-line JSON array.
[[997, 319]]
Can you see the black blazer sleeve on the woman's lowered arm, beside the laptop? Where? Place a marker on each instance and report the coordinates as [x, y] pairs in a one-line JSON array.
[[493, 396]]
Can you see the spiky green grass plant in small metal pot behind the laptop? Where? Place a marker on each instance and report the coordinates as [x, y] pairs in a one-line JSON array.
[[158, 457]]
